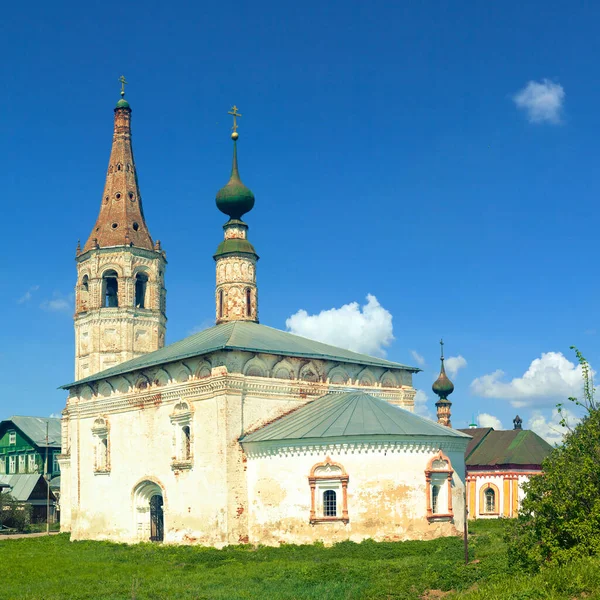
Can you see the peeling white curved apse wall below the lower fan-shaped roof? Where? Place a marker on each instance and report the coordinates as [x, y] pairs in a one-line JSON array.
[[386, 496]]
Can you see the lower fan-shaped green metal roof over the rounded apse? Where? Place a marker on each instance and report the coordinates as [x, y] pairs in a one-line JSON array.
[[350, 415]]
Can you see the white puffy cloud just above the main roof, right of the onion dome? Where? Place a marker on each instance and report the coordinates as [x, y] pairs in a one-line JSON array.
[[361, 329]]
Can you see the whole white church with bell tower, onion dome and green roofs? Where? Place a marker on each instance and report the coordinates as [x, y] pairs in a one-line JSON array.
[[240, 433]]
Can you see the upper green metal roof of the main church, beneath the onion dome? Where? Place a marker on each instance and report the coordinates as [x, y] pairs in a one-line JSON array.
[[242, 335]]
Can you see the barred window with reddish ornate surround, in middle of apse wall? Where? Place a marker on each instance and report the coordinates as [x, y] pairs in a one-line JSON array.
[[327, 479]]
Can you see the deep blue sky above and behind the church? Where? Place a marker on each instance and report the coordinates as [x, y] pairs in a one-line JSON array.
[[387, 153]]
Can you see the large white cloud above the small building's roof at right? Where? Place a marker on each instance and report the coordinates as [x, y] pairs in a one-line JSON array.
[[547, 379]]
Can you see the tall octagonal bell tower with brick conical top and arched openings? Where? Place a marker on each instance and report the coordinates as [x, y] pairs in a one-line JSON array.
[[120, 297]]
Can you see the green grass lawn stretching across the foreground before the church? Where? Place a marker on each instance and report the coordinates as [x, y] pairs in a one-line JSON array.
[[55, 568]]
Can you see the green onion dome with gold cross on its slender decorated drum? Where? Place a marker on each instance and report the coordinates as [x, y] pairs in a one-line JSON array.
[[236, 293]]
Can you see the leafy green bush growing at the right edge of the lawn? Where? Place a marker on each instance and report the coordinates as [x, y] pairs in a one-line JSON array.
[[560, 515]]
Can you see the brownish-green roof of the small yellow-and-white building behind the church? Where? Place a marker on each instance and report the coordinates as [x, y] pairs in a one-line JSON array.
[[513, 447]]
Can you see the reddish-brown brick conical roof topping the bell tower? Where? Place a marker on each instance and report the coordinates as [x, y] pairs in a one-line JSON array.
[[121, 220]]
